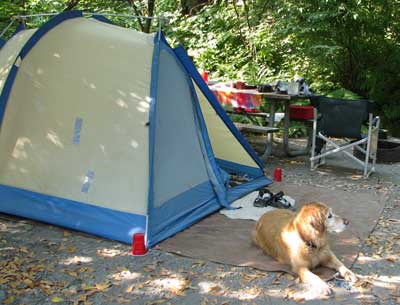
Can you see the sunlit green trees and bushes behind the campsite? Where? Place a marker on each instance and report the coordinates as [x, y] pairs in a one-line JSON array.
[[347, 48]]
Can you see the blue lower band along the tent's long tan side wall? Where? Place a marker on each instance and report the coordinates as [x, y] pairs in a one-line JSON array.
[[71, 214]]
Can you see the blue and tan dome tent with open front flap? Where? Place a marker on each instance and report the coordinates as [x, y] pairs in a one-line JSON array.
[[111, 131]]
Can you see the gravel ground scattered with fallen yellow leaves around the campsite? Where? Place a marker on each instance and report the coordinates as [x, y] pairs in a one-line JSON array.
[[44, 264]]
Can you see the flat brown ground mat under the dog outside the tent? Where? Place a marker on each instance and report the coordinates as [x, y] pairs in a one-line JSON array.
[[220, 239]]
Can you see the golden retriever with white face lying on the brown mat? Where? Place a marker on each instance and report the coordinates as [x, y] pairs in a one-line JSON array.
[[300, 240]]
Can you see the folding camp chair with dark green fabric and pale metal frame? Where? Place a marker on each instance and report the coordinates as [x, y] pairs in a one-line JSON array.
[[343, 119]]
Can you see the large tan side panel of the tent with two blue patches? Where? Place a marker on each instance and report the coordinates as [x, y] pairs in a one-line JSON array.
[[56, 85]]
